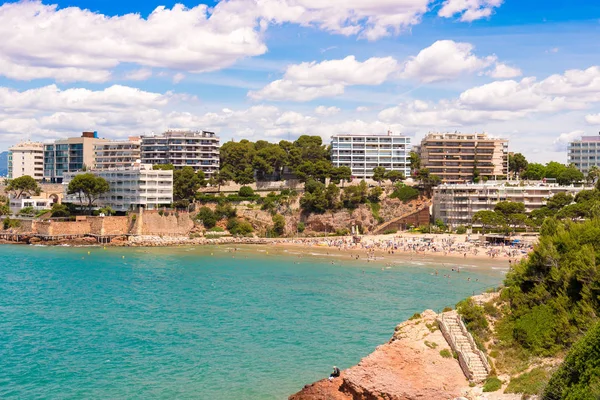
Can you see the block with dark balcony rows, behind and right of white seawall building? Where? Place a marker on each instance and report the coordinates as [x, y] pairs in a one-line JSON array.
[[196, 149]]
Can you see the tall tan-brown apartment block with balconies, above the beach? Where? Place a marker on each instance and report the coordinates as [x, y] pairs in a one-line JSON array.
[[454, 157]]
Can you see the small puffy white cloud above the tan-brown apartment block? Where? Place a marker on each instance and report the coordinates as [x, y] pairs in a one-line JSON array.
[[444, 60]]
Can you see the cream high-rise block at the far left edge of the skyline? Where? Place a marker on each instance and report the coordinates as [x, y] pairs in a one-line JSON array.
[[26, 158]]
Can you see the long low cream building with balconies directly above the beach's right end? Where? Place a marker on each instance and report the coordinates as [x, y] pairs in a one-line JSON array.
[[456, 204]]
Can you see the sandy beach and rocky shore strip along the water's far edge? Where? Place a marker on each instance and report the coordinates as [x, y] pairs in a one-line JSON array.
[[451, 248]]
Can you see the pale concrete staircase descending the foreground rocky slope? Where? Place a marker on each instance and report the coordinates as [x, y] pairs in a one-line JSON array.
[[472, 360]]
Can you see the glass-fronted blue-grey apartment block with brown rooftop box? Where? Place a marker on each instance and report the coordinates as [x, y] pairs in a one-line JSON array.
[[69, 155]]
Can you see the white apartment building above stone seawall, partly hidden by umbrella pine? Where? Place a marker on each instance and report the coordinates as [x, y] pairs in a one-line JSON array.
[[130, 188]]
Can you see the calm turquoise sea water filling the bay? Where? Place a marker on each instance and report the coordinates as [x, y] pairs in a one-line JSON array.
[[197, 323]]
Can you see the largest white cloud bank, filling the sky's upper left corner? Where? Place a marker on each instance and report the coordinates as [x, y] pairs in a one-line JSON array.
[[71, 44]]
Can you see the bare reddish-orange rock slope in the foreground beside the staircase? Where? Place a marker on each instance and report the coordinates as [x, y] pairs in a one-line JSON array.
[[409, 367]]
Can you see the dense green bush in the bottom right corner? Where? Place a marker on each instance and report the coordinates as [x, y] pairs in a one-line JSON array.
[[579, 375]]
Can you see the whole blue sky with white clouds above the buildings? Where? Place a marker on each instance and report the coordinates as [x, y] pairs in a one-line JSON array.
[[274, 69]]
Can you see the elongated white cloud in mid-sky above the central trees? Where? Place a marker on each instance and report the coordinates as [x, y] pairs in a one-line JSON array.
[[310, 80]]
